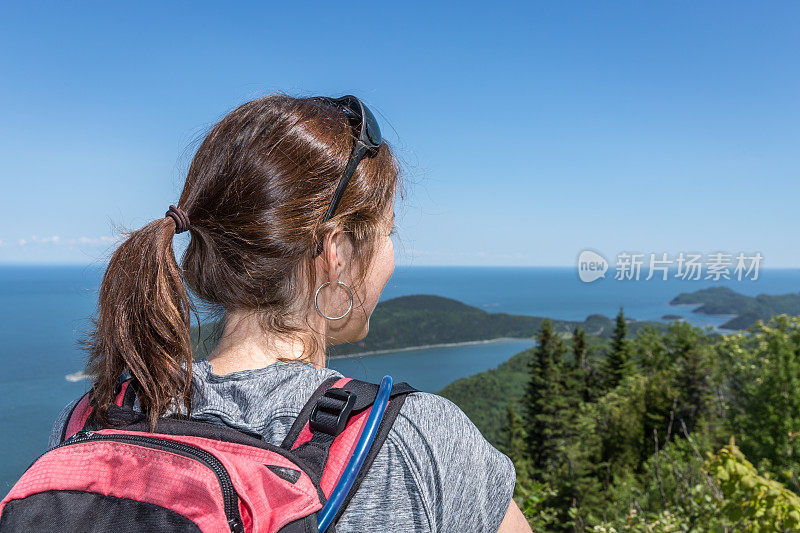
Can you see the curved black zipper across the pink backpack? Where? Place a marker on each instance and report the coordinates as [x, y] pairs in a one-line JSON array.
[[229, 495]]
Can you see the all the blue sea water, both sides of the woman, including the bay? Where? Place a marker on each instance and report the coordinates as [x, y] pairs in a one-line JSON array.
[[44, 311]]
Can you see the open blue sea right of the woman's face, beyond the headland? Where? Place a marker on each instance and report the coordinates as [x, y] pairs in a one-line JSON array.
[[556, 292]]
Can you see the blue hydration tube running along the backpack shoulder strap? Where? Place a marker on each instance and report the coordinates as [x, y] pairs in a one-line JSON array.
[[353, 467]]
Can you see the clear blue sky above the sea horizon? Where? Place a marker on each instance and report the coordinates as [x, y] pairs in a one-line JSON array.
[[529, 131]]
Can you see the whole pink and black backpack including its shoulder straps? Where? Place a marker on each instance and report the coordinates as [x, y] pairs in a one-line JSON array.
[[197, 476]]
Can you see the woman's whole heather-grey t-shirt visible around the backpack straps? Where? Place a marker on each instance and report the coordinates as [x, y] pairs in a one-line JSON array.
[[435, 472]]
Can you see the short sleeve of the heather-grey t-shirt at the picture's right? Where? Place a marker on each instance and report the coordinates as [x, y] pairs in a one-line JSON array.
[[466, 483]]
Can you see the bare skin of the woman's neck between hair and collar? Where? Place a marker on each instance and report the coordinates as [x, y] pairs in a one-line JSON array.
[[244, 346]]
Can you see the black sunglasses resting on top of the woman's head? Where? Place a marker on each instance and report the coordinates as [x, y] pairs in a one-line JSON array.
[[368, 142]]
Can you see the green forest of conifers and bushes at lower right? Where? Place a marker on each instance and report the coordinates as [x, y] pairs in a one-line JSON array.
[[679, 429]]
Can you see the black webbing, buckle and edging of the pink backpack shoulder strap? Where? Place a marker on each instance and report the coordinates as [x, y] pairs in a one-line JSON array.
[[328, 406]]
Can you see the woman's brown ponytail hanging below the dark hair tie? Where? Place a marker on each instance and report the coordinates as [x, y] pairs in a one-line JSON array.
[[143, 322]]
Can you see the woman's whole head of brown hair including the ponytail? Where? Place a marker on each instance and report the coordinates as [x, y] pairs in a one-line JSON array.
[[256, 193]]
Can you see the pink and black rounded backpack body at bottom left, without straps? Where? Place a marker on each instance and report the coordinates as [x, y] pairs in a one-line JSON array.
[[112, 480]]
